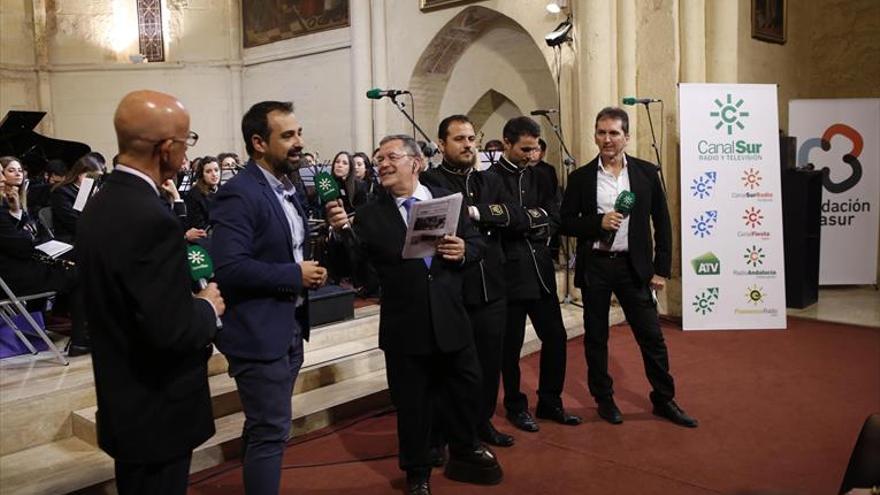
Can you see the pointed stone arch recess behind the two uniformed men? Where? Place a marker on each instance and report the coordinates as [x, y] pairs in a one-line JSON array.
[[479, 57]]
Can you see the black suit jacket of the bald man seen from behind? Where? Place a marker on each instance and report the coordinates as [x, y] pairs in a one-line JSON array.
[[149, 334]]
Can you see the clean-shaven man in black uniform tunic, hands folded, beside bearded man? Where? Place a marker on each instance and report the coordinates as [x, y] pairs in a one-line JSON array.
[[527, 216]]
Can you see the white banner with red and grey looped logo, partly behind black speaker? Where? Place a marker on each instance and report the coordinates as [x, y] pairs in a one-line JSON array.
[[843, 136]]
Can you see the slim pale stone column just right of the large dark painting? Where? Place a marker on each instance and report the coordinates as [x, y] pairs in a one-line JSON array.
[[361, 77]]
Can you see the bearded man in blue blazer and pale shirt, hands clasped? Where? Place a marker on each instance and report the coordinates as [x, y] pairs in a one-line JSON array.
[[260, 249]]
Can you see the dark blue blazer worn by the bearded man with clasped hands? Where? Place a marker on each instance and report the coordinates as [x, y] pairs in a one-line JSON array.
[[255, 269]]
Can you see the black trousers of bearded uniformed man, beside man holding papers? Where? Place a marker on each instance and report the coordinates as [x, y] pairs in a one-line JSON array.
[[488, 322]]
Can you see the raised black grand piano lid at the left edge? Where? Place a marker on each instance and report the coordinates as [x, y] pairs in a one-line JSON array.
[[18, 139]]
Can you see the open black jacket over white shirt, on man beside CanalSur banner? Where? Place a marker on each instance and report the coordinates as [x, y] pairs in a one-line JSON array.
[[580, 218]]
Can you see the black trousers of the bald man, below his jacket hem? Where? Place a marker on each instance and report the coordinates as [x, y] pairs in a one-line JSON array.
[[168, 478]]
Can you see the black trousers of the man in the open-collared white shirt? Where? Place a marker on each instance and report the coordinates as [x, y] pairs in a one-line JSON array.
[[604, 276]]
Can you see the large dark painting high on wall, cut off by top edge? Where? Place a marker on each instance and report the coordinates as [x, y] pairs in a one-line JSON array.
[[267, 21]]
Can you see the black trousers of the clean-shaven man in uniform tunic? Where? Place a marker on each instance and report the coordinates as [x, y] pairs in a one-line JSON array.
[[546, 317]]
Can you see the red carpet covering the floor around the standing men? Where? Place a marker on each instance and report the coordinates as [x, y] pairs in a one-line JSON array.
[[779, 413]]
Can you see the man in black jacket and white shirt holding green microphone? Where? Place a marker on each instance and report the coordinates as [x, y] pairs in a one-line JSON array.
[[615, 254]]
